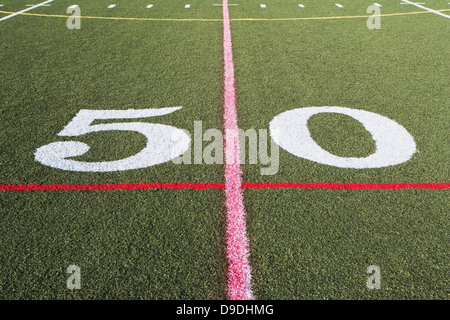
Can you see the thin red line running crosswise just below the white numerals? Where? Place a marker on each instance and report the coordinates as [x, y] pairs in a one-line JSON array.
[[208, 185]]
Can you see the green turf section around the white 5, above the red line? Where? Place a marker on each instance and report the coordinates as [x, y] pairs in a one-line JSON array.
[[50, 72]]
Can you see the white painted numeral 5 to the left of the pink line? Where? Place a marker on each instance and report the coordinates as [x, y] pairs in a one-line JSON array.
[[164, 142]]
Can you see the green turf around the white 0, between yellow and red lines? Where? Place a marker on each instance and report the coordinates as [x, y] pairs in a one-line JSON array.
[[397, 72]]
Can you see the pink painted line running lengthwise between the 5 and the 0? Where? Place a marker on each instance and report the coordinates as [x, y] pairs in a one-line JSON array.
[[239, 271]]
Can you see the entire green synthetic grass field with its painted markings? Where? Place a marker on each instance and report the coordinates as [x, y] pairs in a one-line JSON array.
[[161, 231]]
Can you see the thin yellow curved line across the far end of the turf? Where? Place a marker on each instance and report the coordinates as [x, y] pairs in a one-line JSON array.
[[234, 19]]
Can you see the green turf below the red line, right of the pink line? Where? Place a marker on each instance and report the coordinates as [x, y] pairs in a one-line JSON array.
[[318, 244]]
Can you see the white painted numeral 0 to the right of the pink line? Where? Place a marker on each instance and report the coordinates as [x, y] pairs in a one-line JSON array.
[[394, 145]]
